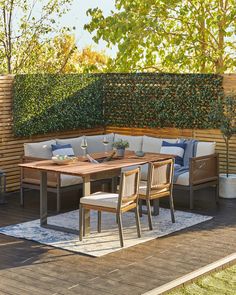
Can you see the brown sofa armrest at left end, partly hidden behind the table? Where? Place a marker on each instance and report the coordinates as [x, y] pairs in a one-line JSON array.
[[33, 176]]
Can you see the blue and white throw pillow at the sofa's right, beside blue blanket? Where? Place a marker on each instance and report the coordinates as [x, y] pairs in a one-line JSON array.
[[176, 149]]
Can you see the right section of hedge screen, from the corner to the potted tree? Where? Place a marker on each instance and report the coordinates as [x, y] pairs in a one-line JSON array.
[[161, 100]]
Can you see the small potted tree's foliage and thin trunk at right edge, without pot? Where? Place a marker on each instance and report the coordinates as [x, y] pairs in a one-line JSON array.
[[224, 112]]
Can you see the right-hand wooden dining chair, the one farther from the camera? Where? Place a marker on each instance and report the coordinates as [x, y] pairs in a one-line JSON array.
[[159, 184]]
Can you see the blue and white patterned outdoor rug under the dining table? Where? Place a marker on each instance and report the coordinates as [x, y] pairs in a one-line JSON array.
[[99, 244]]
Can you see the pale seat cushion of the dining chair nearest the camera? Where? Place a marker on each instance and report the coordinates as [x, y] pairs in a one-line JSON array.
[[101, 199]]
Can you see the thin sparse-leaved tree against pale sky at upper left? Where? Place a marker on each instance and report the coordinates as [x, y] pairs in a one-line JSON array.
[[25, 26]]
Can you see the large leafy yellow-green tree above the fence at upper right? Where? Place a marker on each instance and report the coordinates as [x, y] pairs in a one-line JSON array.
[[169, 35]]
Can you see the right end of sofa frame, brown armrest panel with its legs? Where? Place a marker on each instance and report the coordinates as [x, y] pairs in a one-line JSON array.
[[203, 172]]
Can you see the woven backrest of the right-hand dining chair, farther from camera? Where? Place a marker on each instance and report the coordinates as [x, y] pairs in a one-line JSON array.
[[160, 175]]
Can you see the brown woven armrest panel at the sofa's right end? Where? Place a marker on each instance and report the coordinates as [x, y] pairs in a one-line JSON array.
[[203, 169]]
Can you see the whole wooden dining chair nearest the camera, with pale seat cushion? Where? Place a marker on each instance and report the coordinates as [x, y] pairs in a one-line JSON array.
[[125, 200]]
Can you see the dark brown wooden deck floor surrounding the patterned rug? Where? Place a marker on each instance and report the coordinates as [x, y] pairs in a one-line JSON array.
[[30, 268]]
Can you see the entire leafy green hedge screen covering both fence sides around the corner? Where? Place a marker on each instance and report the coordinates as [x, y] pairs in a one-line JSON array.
[[49, 103]]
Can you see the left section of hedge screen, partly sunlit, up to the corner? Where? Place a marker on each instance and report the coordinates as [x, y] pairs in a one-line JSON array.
[[49, 103]]
